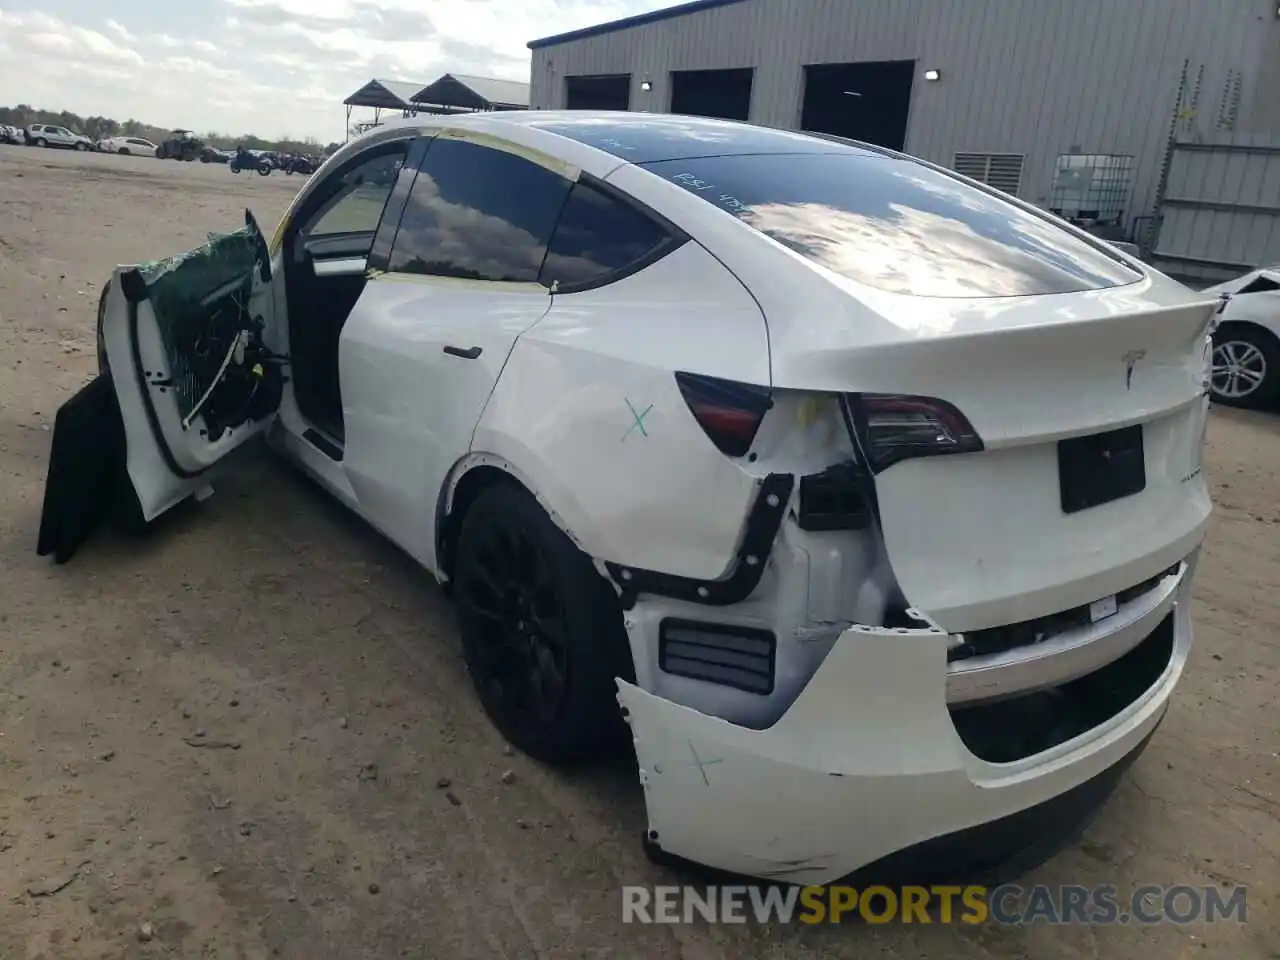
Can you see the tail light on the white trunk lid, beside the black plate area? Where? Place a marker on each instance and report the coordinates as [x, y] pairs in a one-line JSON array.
[[893, 428]]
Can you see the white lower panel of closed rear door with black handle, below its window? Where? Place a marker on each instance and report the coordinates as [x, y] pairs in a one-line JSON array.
[[419, 359]]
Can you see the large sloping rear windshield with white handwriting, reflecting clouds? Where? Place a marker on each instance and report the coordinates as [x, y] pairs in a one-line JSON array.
[[898, 226]]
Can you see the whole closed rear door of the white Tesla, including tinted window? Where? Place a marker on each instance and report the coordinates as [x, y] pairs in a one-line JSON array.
[[423, 350]]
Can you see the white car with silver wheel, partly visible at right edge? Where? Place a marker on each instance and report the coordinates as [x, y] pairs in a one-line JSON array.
[[1247, 342]]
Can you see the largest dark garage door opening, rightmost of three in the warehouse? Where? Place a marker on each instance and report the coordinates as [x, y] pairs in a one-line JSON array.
[[867, 102]]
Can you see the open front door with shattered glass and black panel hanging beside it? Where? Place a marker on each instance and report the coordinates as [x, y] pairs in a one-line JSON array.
[[189, 377]]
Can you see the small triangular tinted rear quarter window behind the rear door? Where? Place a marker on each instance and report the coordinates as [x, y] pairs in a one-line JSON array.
[[598, 236]]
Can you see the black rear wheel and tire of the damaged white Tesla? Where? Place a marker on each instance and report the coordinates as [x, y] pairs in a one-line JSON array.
[[542, 632]]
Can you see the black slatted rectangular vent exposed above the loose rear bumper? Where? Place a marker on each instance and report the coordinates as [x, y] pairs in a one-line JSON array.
[[729, 656]]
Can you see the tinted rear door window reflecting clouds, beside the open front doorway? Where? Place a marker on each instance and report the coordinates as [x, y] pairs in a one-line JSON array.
[[478, 213]]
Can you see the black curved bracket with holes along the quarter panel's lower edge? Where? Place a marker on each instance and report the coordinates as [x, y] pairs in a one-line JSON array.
[[762, 528]]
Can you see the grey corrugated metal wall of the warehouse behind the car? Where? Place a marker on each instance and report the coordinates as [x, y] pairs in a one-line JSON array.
[[1032, 77]]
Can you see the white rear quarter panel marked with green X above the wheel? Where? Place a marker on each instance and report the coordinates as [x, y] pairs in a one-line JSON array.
[[591, 413]]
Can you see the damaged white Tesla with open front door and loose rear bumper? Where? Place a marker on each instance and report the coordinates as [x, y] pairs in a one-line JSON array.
[[872, 495]]
